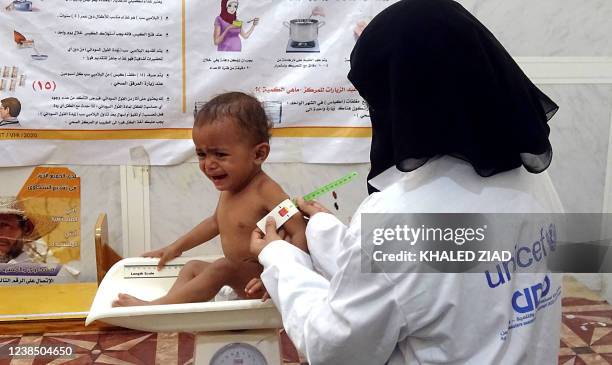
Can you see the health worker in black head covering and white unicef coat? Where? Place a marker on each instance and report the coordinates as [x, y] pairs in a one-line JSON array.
[[454, 119]]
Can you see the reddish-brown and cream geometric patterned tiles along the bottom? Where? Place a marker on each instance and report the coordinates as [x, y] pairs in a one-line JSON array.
[[586, 339]]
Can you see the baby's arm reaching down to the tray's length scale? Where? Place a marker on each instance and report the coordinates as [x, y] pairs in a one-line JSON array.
[[203, 232]]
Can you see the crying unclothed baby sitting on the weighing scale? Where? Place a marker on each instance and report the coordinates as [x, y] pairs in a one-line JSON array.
[[231, 137]]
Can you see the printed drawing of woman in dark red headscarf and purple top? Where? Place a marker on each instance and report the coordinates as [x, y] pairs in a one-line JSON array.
[[228, 29]]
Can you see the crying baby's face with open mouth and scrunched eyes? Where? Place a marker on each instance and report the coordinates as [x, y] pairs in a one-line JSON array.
[[226, 157]]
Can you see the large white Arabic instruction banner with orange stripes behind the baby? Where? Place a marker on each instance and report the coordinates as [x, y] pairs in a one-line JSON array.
[[107, 78]]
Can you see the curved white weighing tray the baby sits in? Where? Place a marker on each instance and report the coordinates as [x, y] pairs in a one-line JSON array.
[[138, 276]]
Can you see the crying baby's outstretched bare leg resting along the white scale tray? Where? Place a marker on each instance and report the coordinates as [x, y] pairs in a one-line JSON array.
[[200, 287]]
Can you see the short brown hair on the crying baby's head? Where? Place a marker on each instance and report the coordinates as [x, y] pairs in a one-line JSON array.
[[244, 109]]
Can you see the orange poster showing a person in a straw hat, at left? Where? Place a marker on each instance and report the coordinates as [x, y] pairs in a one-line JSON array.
[[41, 237]]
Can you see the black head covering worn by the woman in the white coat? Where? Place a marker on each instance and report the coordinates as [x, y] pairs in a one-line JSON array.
[[439, 83]]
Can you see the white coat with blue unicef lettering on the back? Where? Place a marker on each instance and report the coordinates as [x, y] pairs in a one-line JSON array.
[[337, 315]]
